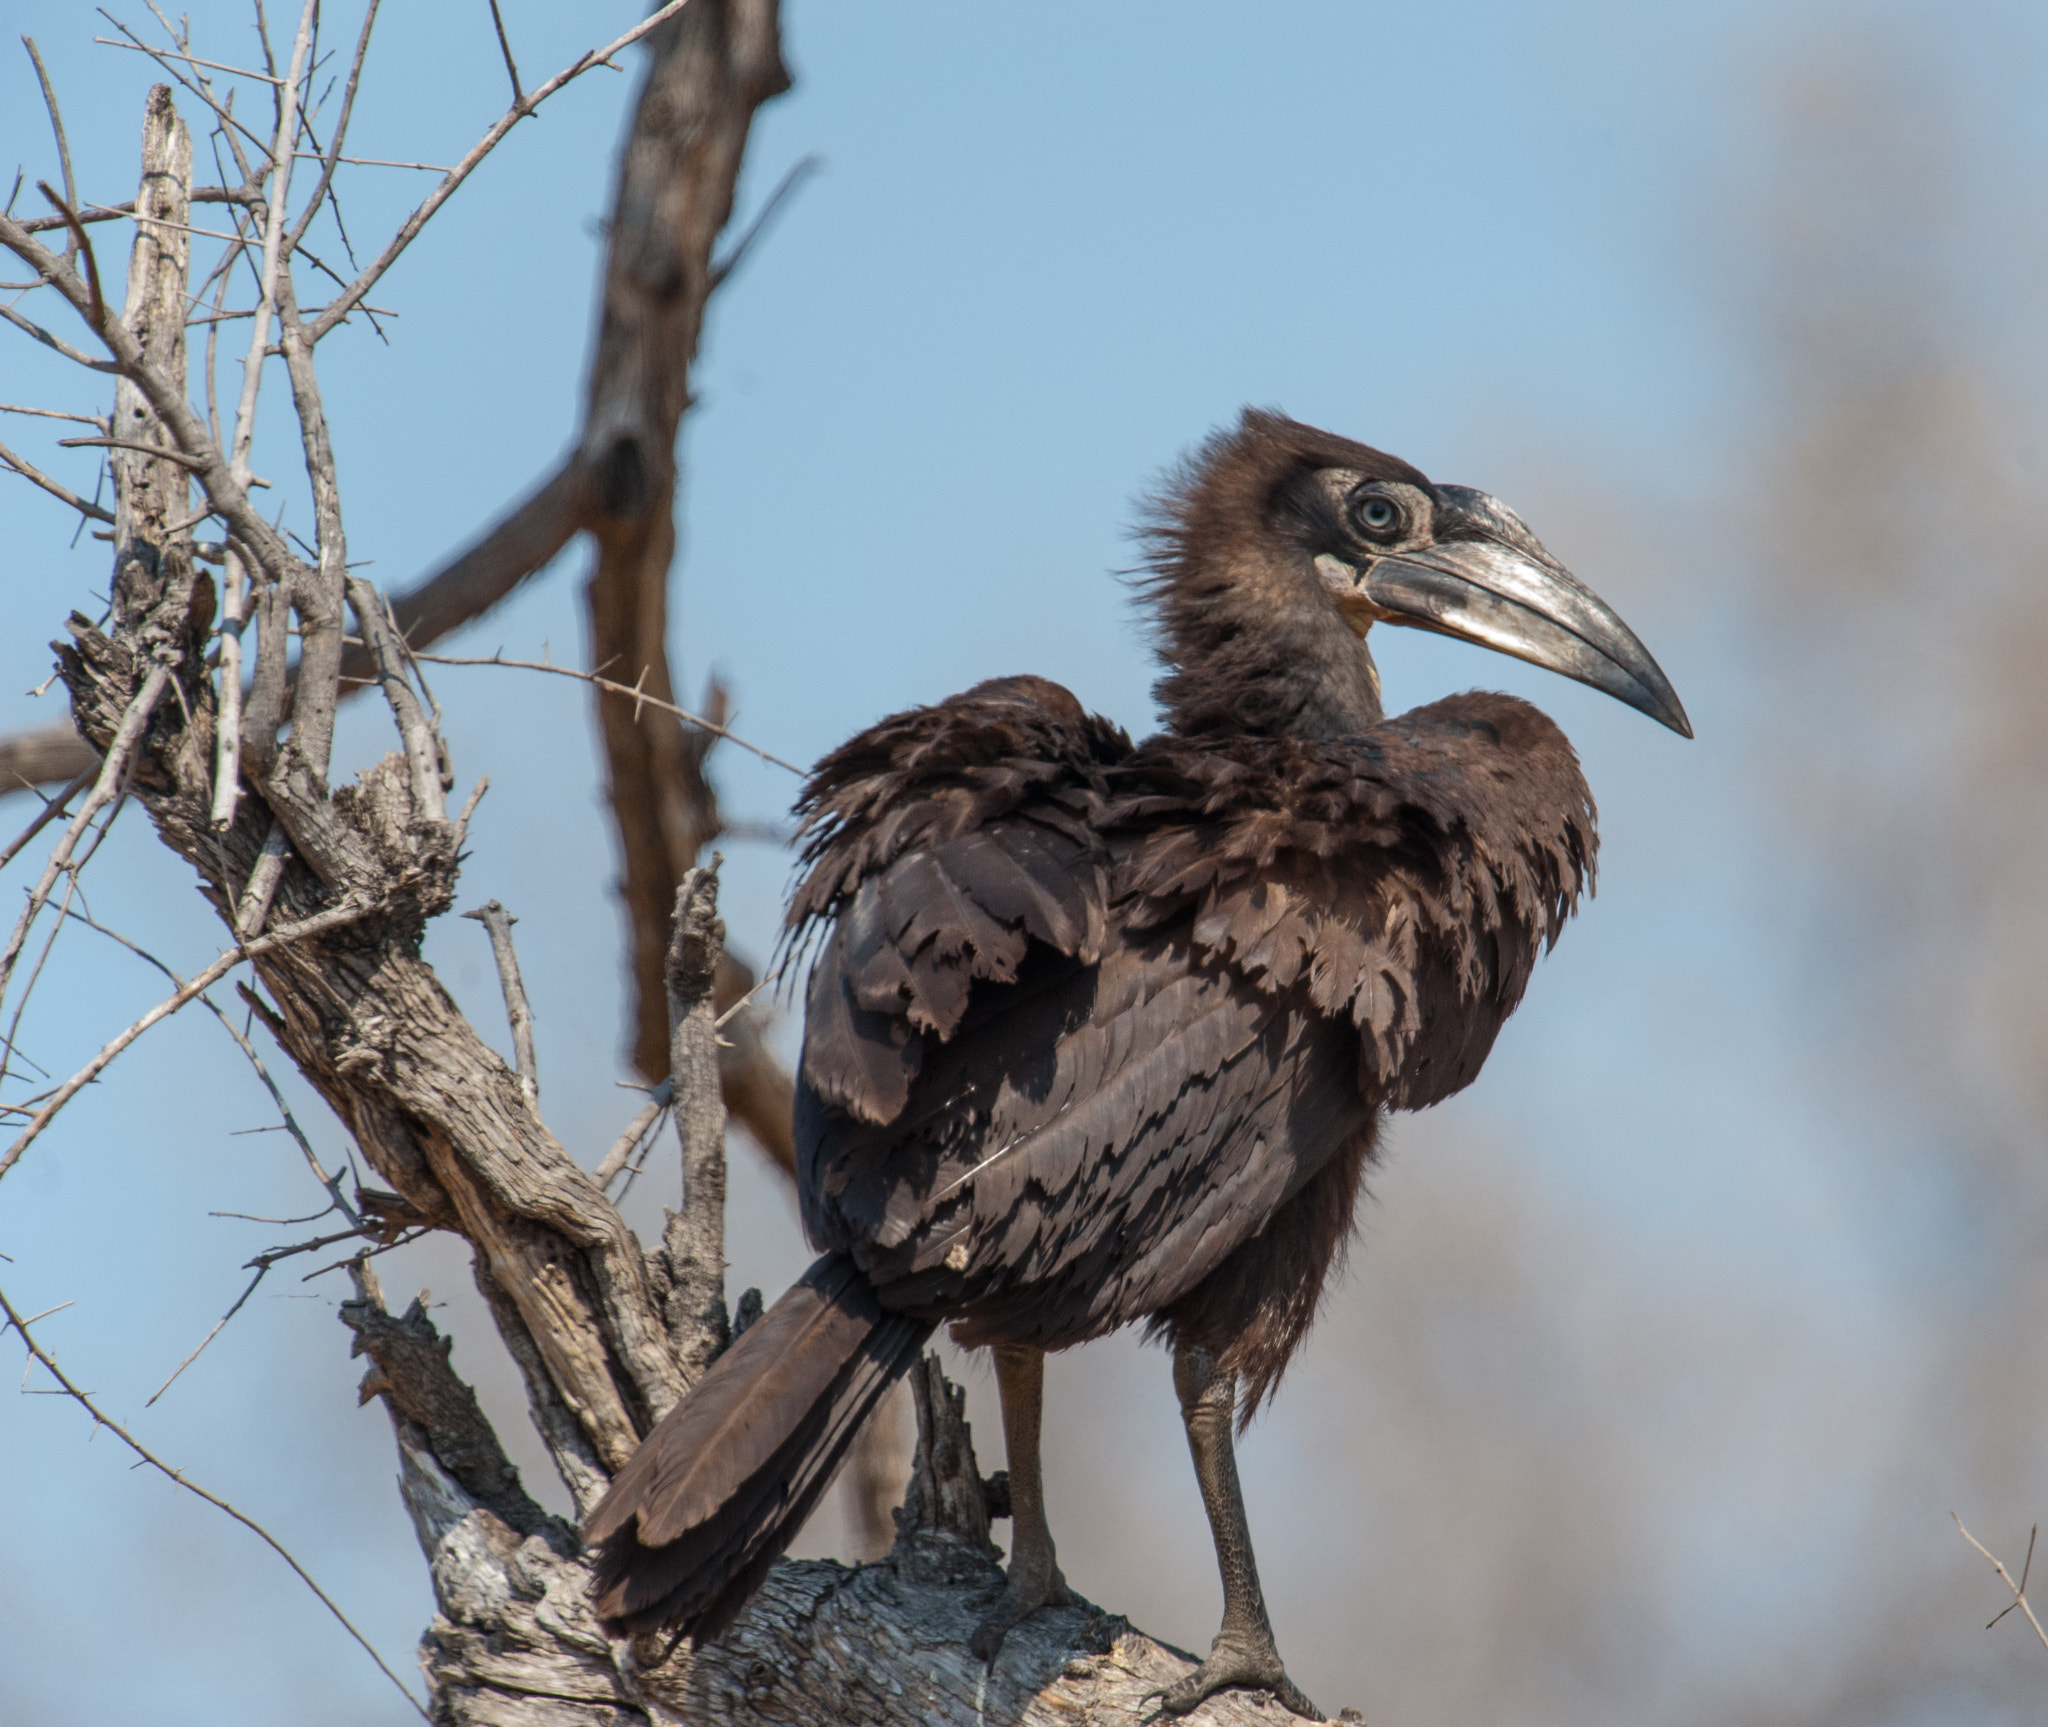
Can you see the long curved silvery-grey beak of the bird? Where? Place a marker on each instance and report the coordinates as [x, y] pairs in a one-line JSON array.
[[1490, 581]]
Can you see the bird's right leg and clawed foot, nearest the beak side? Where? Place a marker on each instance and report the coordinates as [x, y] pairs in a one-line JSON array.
[[1244, 1652]]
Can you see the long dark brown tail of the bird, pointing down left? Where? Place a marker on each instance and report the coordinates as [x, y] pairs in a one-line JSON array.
[[726, 1480]]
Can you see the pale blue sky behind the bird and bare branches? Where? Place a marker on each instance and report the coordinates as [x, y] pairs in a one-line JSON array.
[[1048, 251]]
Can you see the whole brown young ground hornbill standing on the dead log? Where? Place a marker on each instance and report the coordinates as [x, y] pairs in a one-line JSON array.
[[1103, 1034]]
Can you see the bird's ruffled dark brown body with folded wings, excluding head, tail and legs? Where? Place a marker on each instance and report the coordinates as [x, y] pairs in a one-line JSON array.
[[1091, 1021]]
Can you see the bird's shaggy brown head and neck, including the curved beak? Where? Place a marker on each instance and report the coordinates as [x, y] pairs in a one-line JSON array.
[[1277, 548]]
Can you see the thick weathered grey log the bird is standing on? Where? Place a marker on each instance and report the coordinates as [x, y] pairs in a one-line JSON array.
[[822, 1646]]
